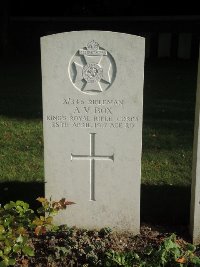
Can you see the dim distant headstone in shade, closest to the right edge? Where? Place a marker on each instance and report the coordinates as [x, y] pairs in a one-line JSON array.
[[184, 45]]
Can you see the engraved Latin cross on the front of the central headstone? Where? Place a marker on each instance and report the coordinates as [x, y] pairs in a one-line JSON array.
[[92, 157]]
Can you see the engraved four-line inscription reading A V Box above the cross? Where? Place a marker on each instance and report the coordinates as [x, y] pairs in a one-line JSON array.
[[108, 113]]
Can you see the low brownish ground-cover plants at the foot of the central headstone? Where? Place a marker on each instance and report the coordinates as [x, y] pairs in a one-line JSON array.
[[70, 246]]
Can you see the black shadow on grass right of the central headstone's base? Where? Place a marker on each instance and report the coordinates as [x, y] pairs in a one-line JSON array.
[[168, 205]]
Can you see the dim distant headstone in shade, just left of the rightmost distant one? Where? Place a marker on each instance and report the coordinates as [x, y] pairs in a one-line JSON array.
[[164, 45]]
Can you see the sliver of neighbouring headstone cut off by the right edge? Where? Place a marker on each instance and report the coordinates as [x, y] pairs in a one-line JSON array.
[[195, 192]]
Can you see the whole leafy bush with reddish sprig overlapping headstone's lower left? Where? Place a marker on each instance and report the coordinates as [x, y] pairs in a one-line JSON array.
[[17, 221]]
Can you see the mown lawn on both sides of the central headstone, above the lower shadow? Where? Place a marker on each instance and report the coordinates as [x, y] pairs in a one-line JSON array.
[[169, 98]]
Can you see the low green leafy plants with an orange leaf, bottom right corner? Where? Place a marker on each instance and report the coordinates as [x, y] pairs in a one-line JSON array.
[[169, 254]]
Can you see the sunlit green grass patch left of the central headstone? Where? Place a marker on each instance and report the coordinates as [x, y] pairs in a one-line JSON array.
[[21, 157]]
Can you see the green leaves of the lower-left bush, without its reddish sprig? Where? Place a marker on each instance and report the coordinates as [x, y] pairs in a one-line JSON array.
[[15, 220]]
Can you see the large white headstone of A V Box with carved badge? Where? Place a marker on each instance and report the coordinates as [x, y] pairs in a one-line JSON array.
[[92, 113]]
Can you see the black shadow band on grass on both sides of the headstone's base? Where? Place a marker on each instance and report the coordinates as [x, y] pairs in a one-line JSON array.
[[168, 205]]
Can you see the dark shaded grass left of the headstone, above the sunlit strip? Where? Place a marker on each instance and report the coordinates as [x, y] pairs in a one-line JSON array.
[[21, 88]]
